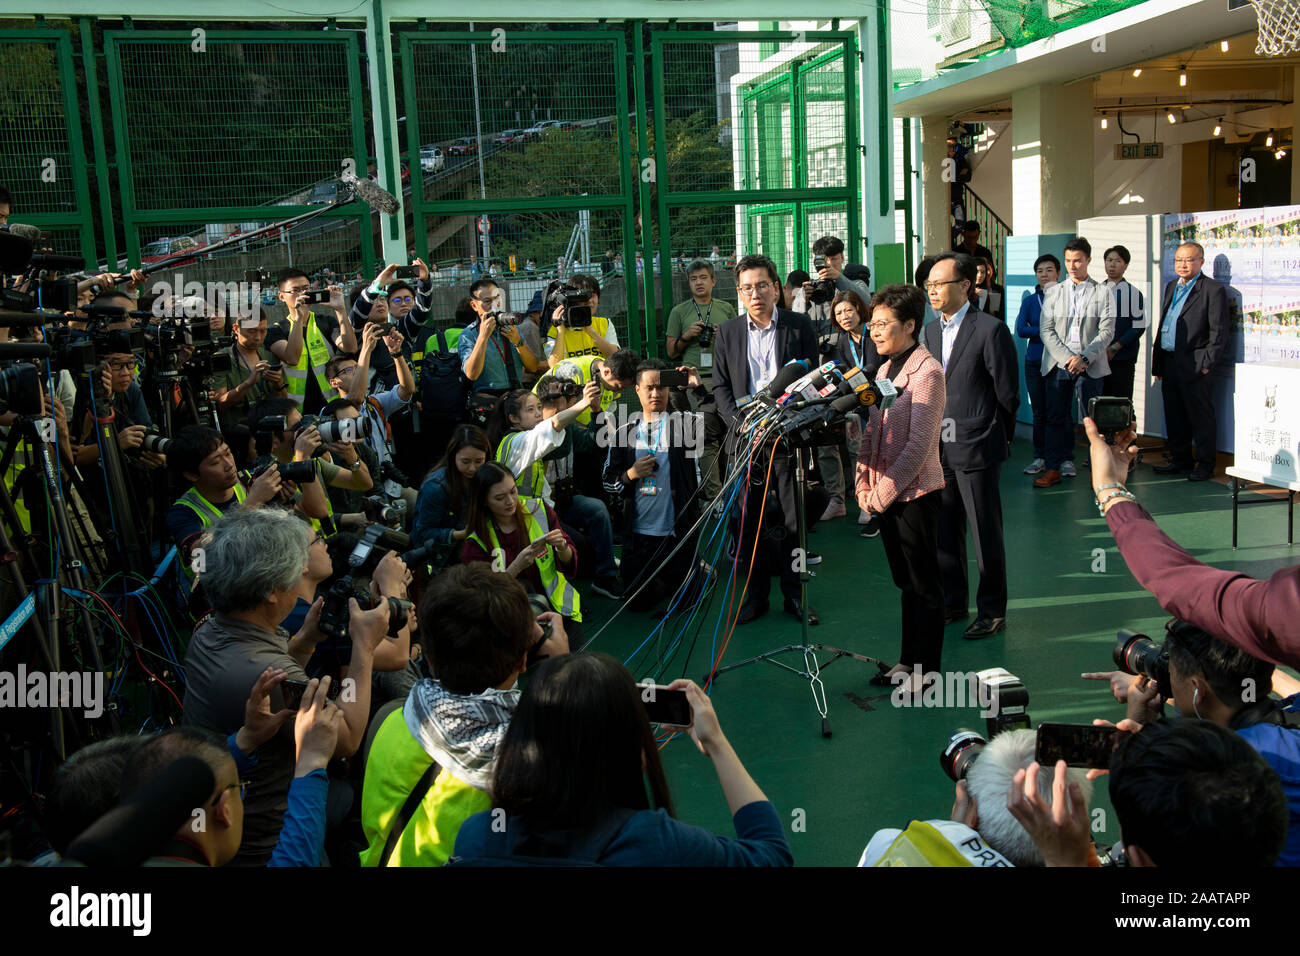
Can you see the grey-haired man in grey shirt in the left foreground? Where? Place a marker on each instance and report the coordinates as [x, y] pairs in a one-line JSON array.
[[259, 563]]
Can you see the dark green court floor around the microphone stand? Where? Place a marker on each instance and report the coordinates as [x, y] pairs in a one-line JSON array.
[[1071, 592]]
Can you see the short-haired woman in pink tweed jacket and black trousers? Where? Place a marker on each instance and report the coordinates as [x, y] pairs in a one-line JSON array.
[[899, 474]]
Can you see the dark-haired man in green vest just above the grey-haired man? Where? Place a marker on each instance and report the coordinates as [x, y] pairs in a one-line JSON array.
[[200, 456]]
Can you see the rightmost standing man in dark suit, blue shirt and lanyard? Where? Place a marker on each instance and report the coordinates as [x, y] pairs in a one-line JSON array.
[[1194, 322]]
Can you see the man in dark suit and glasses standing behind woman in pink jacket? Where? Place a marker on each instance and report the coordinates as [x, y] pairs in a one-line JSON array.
[[983, 380]]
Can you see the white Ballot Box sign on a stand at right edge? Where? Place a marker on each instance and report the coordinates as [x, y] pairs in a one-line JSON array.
[[1268, 422]]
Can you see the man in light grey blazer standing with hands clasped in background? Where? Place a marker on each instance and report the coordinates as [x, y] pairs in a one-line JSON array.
[[1077, 326]]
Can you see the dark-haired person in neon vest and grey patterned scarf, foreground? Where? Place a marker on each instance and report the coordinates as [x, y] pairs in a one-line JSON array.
[[479, 631]]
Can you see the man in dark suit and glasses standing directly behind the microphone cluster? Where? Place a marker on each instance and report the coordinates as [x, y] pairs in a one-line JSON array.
[[748, 353]]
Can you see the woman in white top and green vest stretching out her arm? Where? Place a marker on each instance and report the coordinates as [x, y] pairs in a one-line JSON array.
[[534, 442]]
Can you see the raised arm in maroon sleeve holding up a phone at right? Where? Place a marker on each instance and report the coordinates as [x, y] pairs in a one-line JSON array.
[[1262, 618]]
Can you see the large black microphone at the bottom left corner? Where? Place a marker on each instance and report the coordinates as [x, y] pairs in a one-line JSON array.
[[133, 832]]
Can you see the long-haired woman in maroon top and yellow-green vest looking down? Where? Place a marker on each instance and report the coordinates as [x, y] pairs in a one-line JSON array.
[[525, 539]]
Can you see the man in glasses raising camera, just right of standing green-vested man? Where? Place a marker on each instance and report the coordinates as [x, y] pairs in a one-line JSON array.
[[380, 409]]
